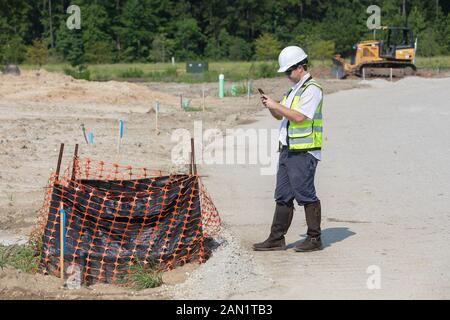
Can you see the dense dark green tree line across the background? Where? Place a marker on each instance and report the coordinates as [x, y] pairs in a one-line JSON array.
[[156, 30]]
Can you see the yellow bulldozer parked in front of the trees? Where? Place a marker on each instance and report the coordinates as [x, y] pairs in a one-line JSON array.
[[394, 55]]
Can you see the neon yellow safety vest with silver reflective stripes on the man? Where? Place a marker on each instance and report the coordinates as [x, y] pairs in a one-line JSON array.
[[305, 135]]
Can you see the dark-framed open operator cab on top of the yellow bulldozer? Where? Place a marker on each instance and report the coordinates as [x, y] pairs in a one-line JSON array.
[[395, 38]]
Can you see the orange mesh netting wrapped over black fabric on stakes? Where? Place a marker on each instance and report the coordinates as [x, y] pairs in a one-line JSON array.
[[117, 216]]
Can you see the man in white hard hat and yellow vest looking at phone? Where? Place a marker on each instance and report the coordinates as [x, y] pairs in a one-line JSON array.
[[300, 138]]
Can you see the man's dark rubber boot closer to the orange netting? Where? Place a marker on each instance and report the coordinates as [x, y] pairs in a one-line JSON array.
[[281, 222]]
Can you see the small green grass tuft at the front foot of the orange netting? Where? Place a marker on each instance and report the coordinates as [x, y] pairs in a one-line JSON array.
[[143, 276]]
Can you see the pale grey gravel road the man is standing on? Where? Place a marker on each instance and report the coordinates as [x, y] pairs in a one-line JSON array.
[[384, 183]]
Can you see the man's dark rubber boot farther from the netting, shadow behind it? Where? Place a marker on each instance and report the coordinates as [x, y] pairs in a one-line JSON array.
[[313, 241]]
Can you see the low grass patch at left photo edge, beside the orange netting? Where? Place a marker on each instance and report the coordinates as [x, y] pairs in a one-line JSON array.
[[21, 257]]
